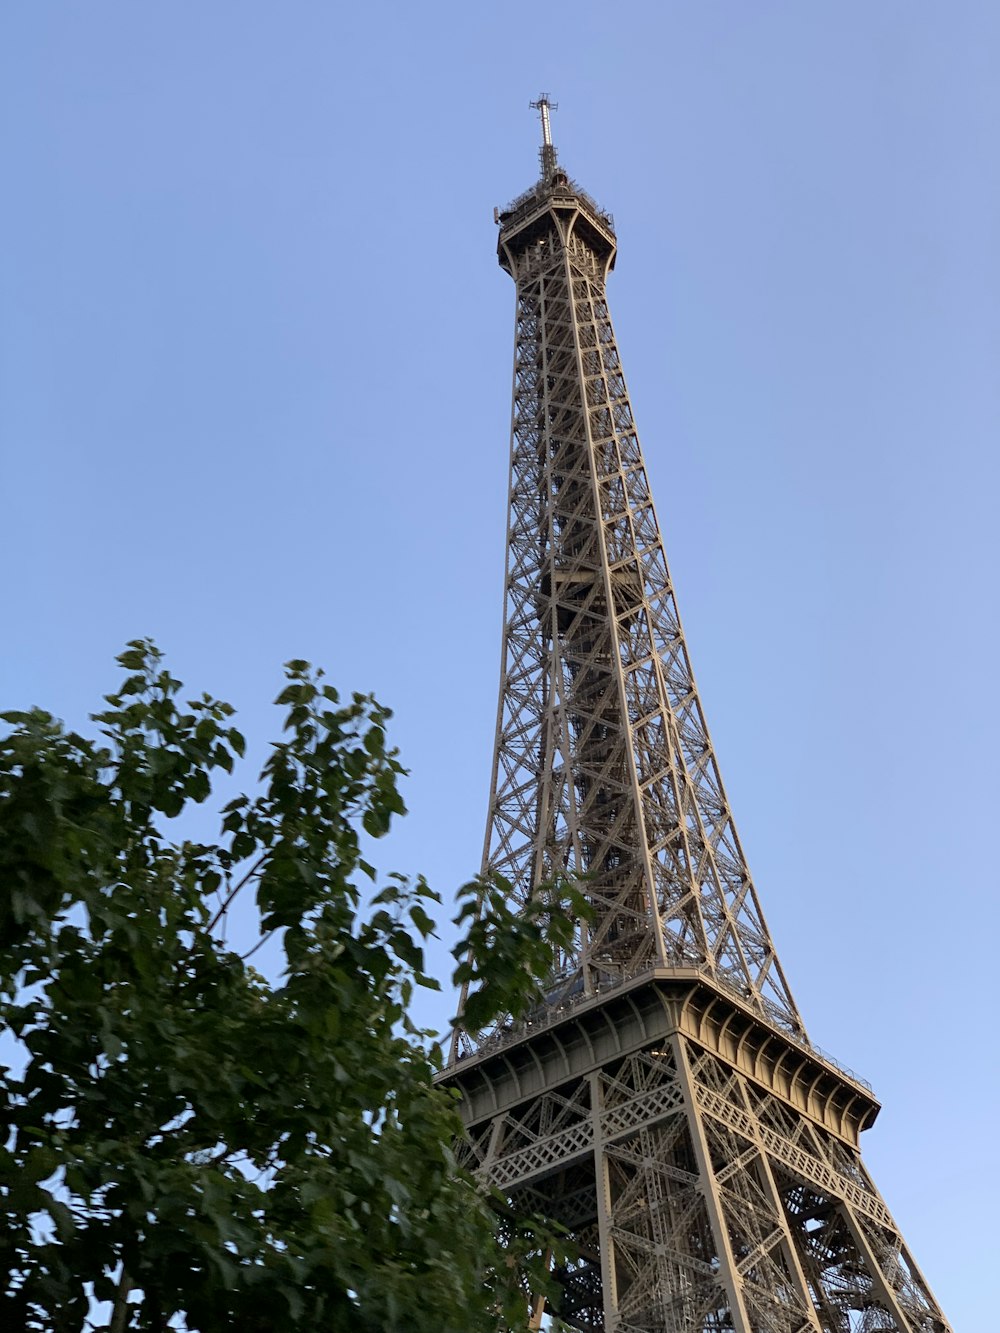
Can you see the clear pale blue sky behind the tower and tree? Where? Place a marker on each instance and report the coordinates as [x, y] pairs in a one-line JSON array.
[[255, 363]]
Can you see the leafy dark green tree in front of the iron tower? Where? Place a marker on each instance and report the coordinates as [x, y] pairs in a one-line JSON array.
[[190, 1144]]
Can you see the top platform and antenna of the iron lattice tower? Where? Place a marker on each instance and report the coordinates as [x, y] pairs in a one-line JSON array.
[[555, 202]]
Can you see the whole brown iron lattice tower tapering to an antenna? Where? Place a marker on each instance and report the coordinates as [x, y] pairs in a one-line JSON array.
[[665, 1104]]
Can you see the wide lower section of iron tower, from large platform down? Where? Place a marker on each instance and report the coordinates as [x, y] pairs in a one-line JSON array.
[[705, 1164]]
